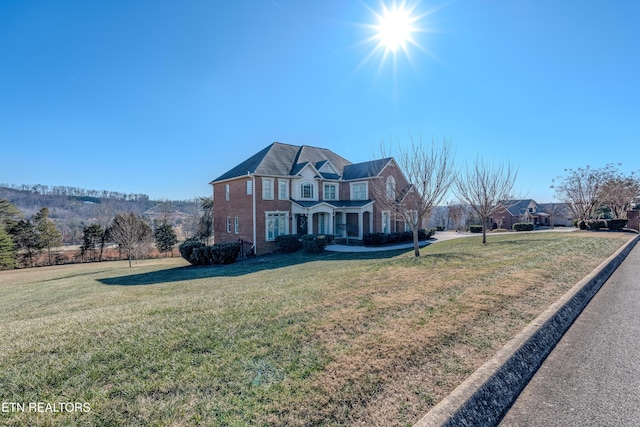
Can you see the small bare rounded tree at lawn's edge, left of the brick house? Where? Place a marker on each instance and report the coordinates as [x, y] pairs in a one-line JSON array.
[[133, 234]]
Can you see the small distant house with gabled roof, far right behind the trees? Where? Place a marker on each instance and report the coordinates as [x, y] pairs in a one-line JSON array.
[[510, 212]]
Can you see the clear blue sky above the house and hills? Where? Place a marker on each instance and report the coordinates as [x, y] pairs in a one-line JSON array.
[[161, 97]]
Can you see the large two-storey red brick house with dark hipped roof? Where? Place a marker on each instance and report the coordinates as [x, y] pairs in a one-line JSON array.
[[288, 189]]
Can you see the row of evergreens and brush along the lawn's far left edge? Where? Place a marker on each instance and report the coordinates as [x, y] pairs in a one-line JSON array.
[[23, 241]]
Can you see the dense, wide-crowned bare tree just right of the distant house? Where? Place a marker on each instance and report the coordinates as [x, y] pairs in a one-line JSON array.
[[581, 189]]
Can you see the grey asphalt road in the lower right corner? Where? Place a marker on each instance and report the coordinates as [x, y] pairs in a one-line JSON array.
[[592, 377]]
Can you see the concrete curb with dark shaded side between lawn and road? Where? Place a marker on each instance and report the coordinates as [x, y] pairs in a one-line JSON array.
[[485, 397]]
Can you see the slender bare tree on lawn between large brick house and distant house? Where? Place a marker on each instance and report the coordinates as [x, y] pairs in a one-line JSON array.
[[483, 186]]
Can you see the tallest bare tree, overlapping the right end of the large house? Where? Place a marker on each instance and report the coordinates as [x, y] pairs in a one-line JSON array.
[[429, 171]]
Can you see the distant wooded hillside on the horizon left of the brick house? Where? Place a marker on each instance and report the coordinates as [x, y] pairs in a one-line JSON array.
[[73, 208]]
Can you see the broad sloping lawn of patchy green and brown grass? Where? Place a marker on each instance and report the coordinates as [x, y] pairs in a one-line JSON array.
[[329, 339]]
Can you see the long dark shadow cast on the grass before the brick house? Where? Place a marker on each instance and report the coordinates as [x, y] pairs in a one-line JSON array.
[[244, 267]]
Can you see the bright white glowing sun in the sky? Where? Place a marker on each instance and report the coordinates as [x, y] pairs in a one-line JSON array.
[[394, 28]]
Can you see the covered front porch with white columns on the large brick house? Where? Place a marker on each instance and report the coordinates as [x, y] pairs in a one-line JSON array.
[[347, 219]]
